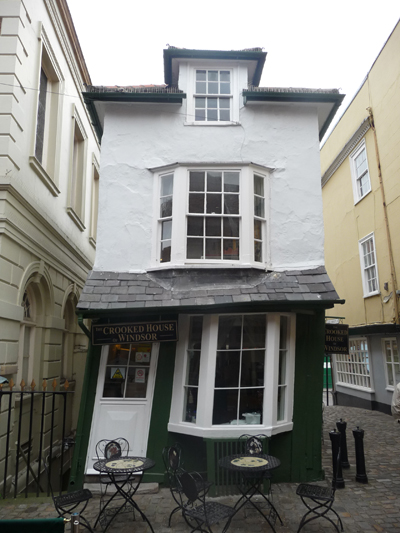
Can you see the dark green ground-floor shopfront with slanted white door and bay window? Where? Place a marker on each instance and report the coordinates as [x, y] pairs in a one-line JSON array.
[[202, 372]]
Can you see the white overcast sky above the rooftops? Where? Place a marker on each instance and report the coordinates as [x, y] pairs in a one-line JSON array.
[[309, 43]]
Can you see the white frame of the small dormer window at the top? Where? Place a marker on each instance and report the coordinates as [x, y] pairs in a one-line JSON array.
[[191, 93]]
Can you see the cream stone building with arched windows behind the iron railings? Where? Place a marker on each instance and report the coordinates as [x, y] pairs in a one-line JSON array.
[[49, 161]]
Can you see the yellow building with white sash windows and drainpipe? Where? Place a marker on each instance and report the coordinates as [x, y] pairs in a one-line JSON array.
[[360, 167]]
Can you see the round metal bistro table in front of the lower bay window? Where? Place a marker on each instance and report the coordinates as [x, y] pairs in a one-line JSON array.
[[252, 469]]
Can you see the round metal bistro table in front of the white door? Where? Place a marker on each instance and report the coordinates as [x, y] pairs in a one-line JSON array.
[[131, 467]]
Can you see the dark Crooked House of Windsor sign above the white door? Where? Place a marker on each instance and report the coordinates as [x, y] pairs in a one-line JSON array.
[[134, 332]]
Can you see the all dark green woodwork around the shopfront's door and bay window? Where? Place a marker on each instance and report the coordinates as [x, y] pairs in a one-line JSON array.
[[298, 450]]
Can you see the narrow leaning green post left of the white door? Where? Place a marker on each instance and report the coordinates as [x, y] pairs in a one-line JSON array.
[[85, 418]]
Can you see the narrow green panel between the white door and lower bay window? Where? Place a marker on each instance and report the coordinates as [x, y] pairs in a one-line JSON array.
[[158, 432]]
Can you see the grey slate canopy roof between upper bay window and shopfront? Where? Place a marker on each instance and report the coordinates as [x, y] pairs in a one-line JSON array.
[[203, 287]]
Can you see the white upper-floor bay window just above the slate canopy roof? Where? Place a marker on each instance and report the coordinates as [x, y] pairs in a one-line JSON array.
[[211, 216]]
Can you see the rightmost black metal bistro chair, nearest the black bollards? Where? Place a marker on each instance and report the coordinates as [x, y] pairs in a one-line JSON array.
[[319, 500]]
